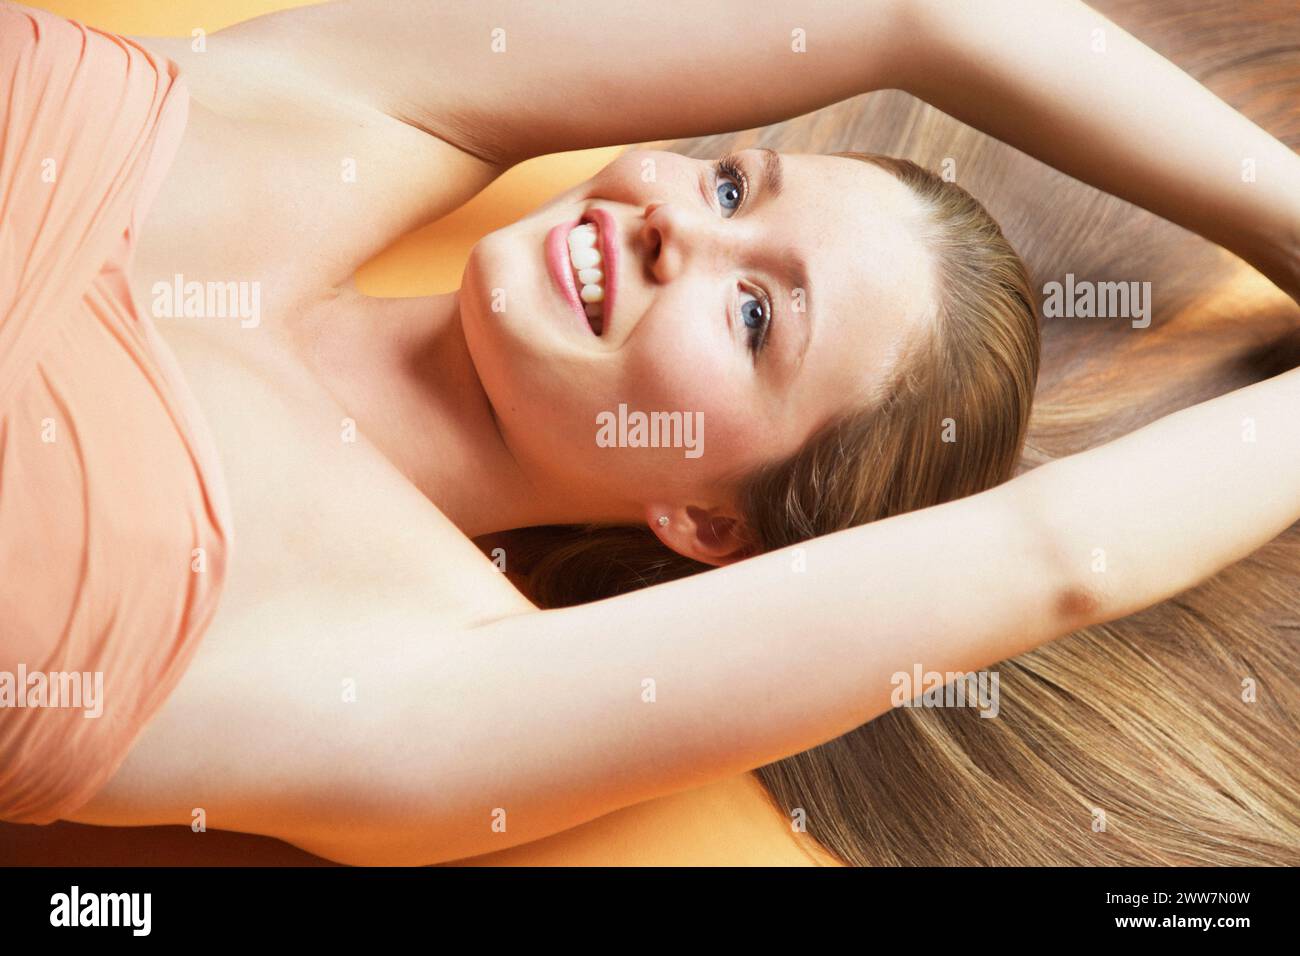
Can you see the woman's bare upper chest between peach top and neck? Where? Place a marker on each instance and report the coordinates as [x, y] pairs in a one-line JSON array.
[[265, 210]]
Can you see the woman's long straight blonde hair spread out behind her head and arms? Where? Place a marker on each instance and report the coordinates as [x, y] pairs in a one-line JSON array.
[[1169, 738]]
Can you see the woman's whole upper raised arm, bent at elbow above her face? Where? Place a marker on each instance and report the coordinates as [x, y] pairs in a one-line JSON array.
[[508, 80]]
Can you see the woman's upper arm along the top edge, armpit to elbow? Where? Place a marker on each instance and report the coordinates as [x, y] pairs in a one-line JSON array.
[[509, 80]]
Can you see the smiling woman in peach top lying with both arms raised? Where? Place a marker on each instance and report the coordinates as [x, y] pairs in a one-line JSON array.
[[262, 526]]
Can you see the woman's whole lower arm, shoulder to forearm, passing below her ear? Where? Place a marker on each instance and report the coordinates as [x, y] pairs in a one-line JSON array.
[[553, 719]]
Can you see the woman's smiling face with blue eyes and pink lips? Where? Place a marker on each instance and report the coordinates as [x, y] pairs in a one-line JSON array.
[[759, 308]]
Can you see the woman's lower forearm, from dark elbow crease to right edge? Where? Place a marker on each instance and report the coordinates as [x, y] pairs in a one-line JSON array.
[[1162, 509]]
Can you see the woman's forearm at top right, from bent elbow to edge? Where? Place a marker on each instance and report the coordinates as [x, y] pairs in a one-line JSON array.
[[1064, 84]]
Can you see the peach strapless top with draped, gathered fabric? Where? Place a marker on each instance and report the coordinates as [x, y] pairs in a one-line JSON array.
[[115, 527]]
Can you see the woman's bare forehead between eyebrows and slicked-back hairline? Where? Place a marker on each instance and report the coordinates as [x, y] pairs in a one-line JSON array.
[[864, 235]]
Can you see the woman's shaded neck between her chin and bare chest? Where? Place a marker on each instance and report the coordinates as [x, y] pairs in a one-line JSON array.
[[404, 373]]
